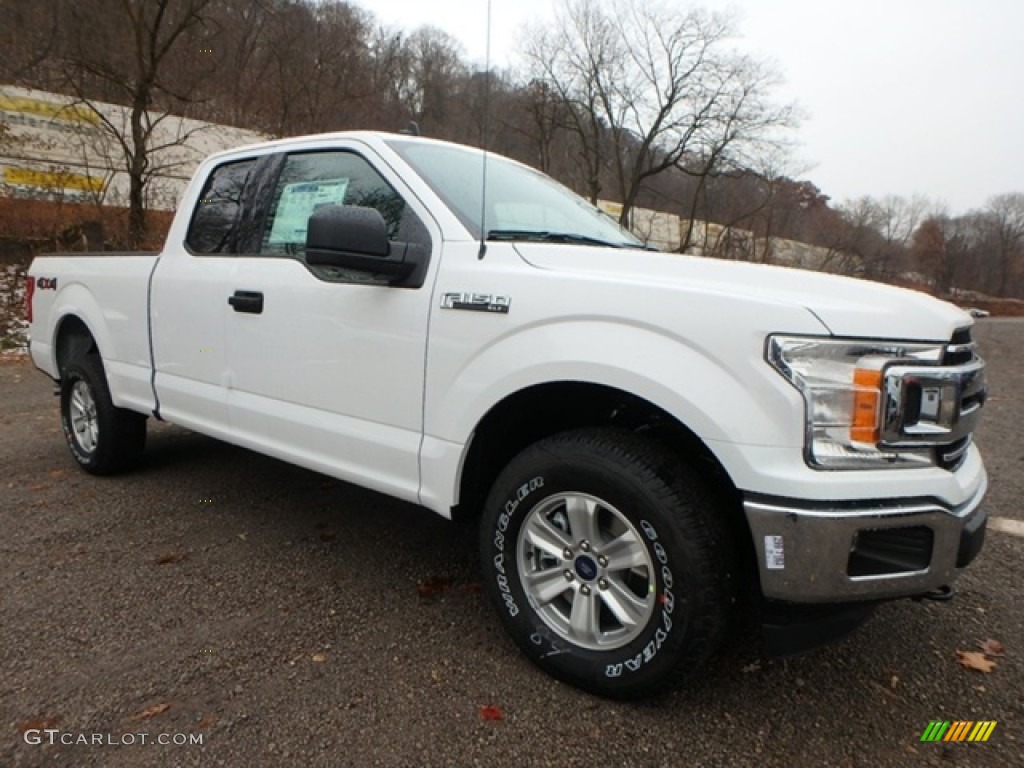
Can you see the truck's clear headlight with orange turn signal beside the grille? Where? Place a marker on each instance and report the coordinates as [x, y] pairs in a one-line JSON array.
[[841, 382]]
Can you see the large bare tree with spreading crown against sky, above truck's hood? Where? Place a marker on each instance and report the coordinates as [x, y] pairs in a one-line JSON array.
[[650, 90]]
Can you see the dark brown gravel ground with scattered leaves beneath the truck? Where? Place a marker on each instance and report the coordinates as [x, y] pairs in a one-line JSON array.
[[290, 620]]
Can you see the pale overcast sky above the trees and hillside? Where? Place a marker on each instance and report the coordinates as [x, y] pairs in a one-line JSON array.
[[902, 97]]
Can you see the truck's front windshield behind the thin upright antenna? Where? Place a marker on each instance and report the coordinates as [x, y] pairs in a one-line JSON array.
[[522, 203]]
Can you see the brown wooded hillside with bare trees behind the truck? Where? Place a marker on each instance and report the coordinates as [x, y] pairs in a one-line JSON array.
[[631, 103]]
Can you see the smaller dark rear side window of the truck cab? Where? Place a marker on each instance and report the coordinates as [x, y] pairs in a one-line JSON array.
[[214, 229]]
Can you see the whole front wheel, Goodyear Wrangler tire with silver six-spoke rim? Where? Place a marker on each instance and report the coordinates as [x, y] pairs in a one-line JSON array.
[[608, 563]]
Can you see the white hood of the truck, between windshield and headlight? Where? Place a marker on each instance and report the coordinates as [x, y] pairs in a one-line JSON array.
[[845, 306]]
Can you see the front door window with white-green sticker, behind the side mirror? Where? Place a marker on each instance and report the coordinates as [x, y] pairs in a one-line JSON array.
[[311, 181]]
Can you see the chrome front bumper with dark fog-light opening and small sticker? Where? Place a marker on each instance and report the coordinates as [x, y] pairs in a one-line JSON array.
[[818, 552]]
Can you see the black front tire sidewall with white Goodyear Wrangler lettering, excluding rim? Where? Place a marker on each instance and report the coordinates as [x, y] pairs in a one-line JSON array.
[[660, 648]]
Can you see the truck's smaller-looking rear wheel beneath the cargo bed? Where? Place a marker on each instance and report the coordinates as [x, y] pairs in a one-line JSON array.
[[103, 439]]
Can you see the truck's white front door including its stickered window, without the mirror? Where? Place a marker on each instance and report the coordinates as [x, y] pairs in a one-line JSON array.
[[327, 365]]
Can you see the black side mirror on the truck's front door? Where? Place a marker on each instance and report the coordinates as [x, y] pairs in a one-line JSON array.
[[356, 238]]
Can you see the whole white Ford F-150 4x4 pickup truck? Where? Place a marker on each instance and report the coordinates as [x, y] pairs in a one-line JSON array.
[[652, 443]]
